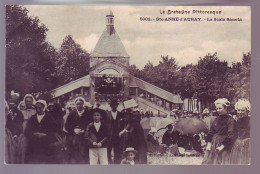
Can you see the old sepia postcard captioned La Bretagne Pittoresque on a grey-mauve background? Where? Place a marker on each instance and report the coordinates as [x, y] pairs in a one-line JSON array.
[[152, 85]]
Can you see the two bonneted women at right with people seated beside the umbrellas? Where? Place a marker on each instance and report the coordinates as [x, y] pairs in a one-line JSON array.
[[226, 142]]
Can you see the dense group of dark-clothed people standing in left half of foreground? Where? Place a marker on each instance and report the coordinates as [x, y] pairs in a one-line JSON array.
[[80, 135]]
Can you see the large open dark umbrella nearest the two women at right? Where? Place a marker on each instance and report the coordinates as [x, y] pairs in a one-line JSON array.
[[191, 126]]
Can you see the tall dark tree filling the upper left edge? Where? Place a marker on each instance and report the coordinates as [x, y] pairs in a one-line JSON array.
[[28, 64]]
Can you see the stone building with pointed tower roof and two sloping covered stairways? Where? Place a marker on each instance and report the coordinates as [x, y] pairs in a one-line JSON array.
[[109, 78]]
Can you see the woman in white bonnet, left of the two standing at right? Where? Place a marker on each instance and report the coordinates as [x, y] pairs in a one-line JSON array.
[[221, 136]]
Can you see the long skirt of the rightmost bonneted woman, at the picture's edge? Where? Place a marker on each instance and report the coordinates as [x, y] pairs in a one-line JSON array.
[[241, 151]]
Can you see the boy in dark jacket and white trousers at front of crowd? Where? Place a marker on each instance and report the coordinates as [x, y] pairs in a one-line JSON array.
[[96, 135]]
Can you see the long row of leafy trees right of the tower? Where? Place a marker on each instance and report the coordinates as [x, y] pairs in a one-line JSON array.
[[208, 80]]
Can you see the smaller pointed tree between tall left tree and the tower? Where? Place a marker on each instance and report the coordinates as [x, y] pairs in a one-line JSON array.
[[73, 61]]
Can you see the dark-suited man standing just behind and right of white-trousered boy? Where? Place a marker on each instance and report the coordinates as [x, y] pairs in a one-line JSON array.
[[113, 124]]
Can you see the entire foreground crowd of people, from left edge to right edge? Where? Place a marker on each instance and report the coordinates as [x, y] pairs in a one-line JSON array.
[[47, 133]]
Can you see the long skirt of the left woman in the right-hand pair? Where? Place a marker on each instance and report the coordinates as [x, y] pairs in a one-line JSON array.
[[214, 156]]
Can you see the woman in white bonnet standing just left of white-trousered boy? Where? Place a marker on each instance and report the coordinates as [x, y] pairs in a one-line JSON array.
[[75, 125]]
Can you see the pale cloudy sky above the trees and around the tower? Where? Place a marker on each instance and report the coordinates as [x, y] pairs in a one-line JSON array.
[[186, 41]]
